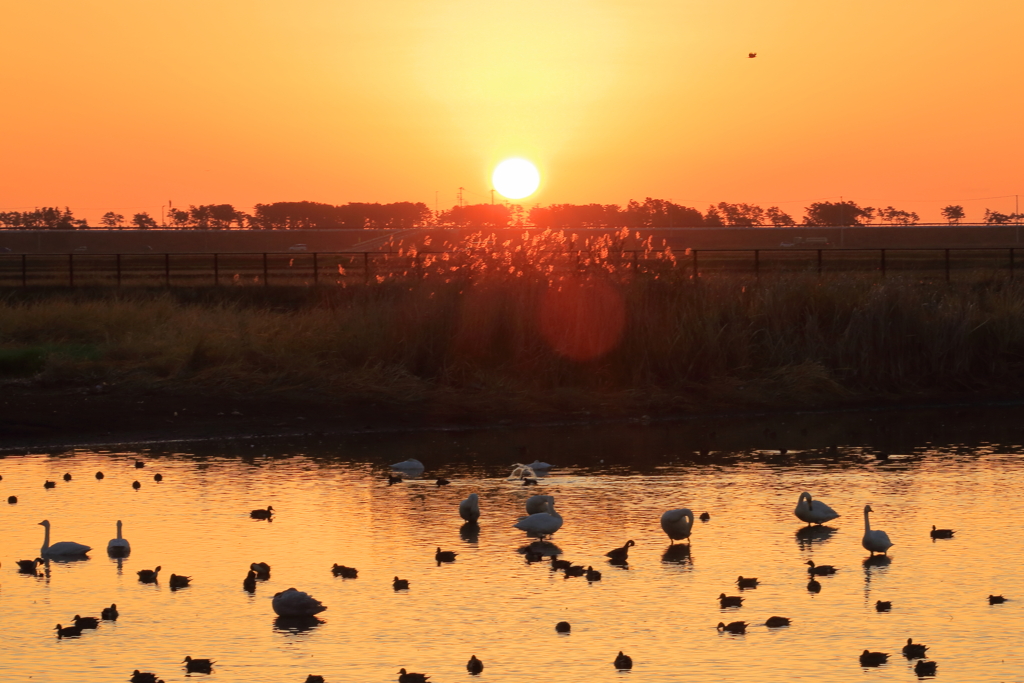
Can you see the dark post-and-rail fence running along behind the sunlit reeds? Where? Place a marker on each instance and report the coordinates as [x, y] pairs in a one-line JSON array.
[[315, 269]]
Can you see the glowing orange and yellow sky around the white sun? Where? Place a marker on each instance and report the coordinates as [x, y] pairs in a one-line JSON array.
[[123, 105]]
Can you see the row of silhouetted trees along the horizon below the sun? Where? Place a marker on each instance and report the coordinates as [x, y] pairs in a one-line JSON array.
[[650, 214]]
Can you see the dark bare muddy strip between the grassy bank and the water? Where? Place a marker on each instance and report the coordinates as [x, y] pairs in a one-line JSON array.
[[53, 419]]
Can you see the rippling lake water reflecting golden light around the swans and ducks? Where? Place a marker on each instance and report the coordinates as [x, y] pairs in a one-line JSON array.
[[611, 483]]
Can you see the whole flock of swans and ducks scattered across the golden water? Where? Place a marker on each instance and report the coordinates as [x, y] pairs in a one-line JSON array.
[[541, 521]]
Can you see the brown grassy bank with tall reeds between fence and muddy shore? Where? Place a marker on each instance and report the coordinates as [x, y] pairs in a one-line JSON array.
[[528, 343]]
